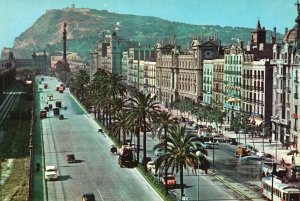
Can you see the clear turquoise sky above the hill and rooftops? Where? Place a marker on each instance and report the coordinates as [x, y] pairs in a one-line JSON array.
[[18, 15]]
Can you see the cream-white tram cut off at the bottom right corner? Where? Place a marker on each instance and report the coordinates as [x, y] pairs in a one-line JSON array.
[[282, 191]]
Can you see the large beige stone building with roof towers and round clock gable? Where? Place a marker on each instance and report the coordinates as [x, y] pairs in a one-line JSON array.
[[179, 74]]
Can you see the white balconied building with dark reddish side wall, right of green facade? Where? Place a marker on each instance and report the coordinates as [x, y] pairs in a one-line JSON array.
[[257, 77]]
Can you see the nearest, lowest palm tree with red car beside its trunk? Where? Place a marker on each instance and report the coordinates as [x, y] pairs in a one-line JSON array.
[[180, 151]]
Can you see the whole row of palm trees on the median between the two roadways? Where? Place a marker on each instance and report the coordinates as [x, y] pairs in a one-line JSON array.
[[127, 112]]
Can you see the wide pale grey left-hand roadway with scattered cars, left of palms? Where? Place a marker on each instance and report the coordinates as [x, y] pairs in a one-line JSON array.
[[96, 170]]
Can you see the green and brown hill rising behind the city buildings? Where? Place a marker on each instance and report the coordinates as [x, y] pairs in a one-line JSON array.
[[86, 26]]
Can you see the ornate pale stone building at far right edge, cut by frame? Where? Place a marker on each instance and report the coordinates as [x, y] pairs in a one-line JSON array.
[[286, 56]]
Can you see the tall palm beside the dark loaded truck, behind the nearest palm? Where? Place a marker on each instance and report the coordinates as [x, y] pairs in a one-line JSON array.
[[142, 112]]
